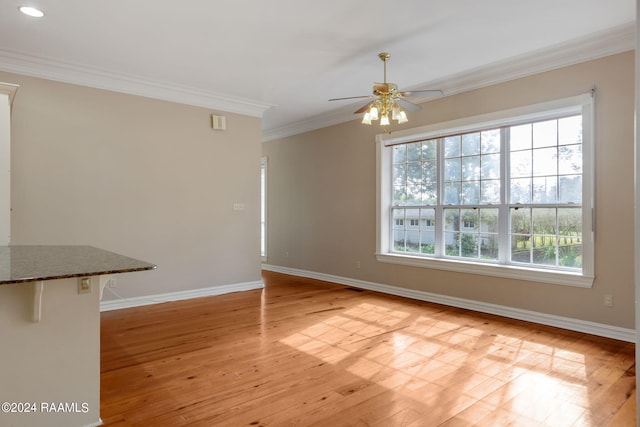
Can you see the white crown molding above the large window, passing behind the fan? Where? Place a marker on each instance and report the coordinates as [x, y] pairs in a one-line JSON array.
[[597, 45]]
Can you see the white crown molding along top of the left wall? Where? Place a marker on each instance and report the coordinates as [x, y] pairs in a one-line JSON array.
[[45, 68]]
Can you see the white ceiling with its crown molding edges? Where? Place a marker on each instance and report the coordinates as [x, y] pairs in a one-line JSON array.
[[283, 59]]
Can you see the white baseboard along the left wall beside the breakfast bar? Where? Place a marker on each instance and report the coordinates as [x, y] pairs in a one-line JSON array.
[[177, 296]]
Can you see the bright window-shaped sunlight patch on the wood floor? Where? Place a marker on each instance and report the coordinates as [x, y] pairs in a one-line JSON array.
[[452, 365]]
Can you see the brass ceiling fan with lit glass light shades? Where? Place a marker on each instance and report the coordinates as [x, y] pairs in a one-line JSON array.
[[388, 101]]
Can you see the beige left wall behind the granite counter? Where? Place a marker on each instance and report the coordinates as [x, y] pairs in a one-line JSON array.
[[142, 177]]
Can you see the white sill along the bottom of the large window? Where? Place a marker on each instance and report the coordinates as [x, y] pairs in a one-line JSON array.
[[507, 271]]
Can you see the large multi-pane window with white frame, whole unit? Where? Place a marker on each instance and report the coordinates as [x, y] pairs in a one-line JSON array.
[[507, 194]]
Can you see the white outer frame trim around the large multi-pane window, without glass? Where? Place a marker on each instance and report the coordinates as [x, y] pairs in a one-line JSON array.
[[581, 104]]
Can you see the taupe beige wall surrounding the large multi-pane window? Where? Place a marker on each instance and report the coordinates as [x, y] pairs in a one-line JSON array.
[[322, 186]]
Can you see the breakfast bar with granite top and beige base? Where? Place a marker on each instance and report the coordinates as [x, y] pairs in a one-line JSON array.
[[50, 332]]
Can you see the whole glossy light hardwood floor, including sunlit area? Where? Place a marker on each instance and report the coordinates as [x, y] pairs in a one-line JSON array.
[[303, 352]]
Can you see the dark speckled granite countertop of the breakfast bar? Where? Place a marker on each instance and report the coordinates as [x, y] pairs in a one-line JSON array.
[[33, 263]]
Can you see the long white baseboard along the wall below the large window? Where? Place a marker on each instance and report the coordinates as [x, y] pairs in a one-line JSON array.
[[593, 328]]
